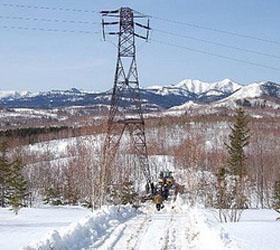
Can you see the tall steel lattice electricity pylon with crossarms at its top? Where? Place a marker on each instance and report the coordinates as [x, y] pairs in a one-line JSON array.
[[125, 111]]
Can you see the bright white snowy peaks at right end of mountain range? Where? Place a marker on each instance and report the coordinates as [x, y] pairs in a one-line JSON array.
[[227, 93]]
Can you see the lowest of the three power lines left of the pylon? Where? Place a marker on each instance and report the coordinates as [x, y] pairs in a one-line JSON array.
[[23, 28]]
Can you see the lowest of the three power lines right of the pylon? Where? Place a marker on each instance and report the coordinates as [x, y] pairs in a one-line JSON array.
[[216, 55]]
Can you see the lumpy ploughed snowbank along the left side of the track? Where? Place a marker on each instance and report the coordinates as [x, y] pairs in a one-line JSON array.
[[87, 231]]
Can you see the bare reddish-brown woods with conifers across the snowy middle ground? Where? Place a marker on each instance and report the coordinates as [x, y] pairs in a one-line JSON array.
[[235, 162]]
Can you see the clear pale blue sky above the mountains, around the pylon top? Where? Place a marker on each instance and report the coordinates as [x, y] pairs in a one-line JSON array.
[[37, 61]]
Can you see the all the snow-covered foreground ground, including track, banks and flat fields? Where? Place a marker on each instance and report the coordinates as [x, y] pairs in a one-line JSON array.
[[125, 228]]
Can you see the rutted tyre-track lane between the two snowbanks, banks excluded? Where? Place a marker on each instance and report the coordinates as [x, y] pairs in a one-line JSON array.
[[157, 231]]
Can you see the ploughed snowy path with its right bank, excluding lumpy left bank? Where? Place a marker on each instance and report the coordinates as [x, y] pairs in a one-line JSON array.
[[163, 231]]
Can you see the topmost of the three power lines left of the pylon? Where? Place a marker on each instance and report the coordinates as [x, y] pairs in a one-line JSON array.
[[46, 8]]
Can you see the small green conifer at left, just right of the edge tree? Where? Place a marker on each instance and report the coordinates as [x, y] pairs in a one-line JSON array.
[[17, 186]]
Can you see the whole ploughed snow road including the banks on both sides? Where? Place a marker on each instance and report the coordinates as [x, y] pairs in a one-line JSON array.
[[126, 229]]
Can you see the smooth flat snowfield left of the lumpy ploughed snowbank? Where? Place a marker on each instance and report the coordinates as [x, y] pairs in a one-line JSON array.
[[32, 224]]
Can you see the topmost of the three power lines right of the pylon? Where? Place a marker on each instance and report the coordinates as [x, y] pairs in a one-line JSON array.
[[218, 30]]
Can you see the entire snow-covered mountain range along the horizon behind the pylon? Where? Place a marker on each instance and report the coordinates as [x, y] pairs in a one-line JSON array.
[[221, 93]]
